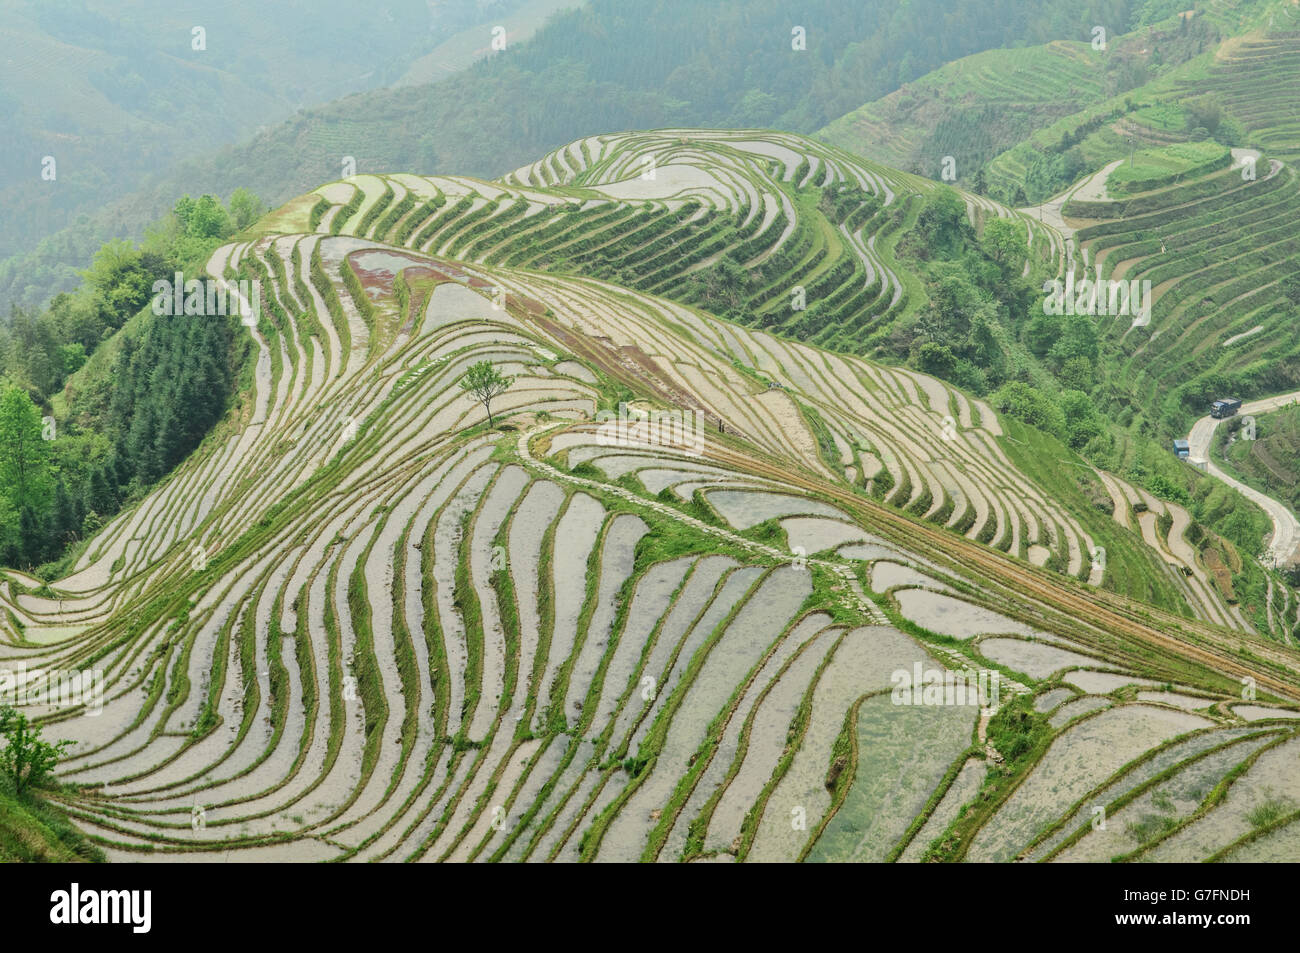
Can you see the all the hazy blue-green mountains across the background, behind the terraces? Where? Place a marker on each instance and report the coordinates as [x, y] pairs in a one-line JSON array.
[[606, 67]]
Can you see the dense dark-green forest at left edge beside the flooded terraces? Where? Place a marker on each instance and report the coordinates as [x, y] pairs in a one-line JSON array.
[[101, 398]]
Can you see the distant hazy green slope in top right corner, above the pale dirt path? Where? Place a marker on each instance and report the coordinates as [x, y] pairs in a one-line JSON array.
[[1021, 124]]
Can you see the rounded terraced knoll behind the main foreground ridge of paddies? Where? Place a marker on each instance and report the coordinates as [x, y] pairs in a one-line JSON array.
[[655, 211]]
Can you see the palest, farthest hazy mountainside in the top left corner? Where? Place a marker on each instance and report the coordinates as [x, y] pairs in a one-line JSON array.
[[120, 94]]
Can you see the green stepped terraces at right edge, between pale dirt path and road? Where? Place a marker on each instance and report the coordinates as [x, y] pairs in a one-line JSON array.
[[1216, 250]]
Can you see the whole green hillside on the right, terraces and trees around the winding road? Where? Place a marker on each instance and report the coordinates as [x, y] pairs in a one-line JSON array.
[[1139, 185]]
